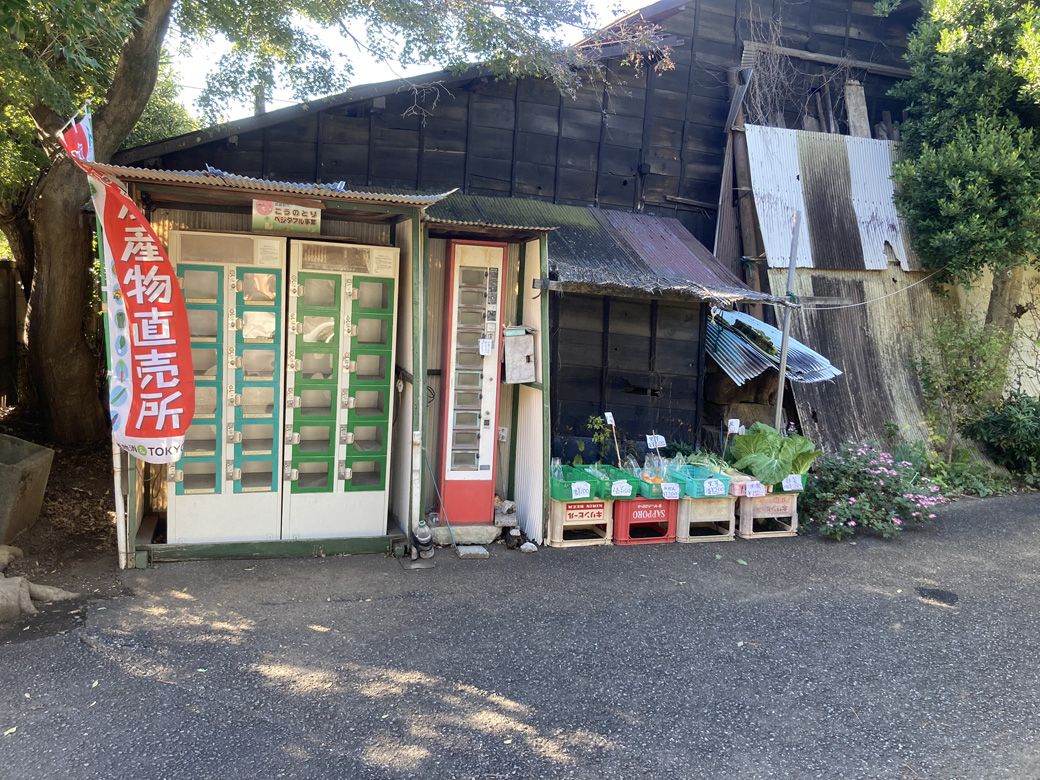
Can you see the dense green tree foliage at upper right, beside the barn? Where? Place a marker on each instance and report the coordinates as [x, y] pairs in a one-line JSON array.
[[970, 180]]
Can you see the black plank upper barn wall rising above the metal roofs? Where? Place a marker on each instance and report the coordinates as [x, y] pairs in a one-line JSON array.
[[525, 139]]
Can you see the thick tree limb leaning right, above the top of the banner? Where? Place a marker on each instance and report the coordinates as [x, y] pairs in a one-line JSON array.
[[135, 80]]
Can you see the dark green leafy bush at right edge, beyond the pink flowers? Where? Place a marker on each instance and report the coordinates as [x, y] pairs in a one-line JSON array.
[[1010, 432]]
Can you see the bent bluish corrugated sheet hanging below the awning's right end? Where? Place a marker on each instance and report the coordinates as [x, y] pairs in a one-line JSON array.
[[743, 359]]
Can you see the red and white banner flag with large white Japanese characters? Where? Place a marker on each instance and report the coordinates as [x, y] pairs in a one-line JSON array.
[[151, 380]]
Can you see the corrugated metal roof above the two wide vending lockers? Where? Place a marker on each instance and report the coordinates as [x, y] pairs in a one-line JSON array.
[[221, 180]]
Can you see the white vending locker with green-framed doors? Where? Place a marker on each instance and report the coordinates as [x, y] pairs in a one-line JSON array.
[[340, 389]]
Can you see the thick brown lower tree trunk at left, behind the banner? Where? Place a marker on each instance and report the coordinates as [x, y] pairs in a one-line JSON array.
[[64, 369]]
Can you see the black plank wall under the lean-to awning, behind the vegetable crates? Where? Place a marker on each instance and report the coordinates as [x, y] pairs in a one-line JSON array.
[[637, 359]]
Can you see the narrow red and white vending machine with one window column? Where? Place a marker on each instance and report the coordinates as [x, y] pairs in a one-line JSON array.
[[473, 356]]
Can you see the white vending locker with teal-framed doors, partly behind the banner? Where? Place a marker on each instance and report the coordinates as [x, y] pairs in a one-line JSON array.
[[227, 485]]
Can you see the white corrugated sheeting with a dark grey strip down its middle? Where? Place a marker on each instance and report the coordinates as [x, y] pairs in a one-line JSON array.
[[842, 187]]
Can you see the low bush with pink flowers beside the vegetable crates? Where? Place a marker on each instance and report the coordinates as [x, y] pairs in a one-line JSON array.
[[865, 489]]
